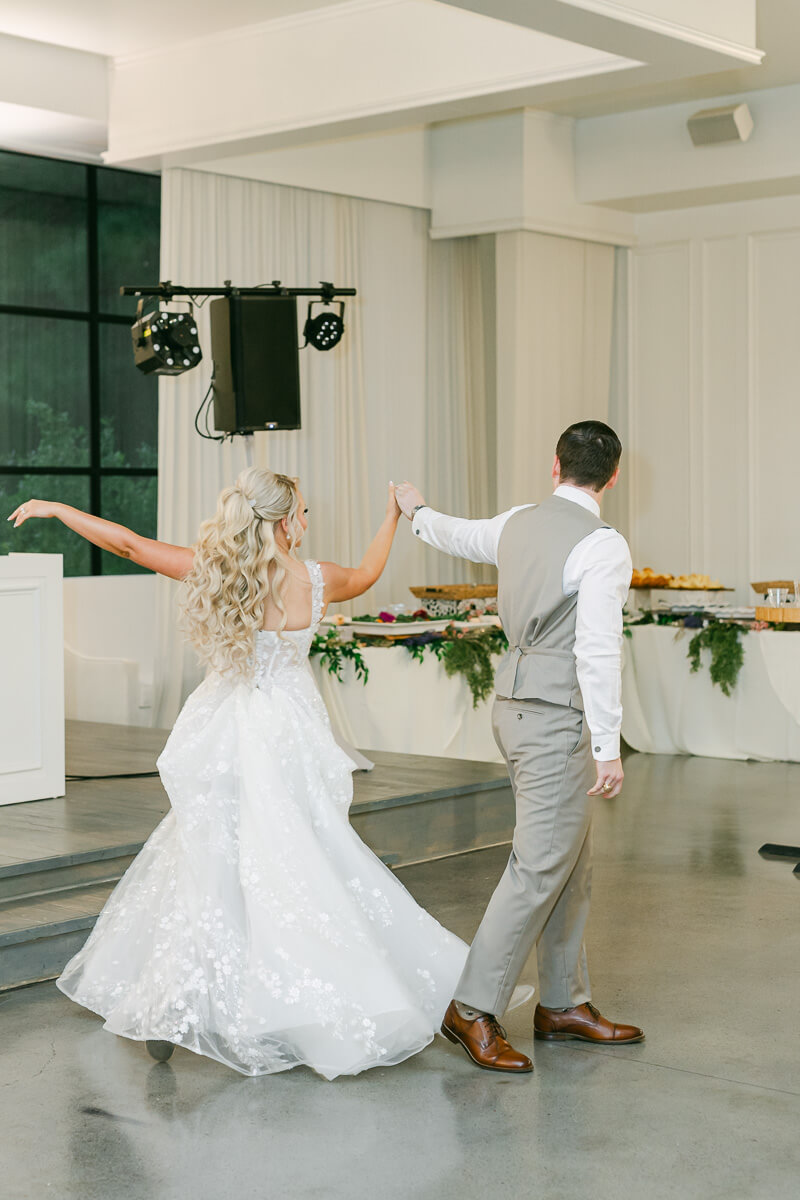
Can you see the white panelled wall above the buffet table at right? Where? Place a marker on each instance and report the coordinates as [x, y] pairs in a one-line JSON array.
[[713, 422]]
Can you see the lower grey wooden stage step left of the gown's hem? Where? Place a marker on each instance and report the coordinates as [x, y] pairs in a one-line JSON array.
[[39, 937]]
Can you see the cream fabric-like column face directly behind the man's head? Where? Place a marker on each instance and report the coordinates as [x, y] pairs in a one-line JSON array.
[[555, 307]]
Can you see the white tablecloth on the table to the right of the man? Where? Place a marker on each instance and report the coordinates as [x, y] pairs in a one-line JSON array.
[[667, 710]]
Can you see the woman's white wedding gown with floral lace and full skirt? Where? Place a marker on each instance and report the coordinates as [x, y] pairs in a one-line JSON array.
[[255, 926]]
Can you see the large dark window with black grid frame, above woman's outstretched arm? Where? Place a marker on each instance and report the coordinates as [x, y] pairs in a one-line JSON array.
[[79, 423]]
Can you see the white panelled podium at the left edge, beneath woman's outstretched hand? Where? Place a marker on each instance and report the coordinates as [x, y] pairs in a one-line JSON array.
[[32, 677]]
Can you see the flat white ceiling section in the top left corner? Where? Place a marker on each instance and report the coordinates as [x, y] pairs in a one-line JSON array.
[[125, 27]]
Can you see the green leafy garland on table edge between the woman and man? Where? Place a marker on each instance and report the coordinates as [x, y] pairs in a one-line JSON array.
[[468, 653]]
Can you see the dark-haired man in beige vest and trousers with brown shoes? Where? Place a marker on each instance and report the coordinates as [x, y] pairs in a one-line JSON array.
[[563, 580]]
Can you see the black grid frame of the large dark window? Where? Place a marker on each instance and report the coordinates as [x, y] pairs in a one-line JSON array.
[[94, 319]]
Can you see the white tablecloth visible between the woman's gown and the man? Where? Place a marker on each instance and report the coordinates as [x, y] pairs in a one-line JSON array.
[[408, 707]]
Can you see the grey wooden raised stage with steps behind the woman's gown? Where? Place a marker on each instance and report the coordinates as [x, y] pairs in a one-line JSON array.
[[61, 860]]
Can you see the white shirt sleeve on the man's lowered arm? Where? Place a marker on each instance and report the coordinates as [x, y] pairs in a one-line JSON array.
[[604, 572]]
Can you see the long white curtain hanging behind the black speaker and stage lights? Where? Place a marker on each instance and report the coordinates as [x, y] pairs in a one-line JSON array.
[[402, 397]]
